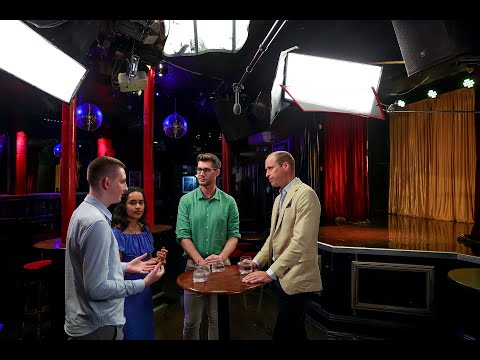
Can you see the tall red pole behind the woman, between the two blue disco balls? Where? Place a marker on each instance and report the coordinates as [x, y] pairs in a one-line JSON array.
[[148, 115]]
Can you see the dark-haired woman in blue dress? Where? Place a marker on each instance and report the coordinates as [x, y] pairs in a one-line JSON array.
[[134, 238]]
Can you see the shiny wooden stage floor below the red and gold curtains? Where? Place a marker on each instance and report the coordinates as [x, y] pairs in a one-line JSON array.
[[398, 232]]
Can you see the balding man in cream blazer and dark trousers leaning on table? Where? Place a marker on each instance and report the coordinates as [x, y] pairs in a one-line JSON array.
[[291, 250]]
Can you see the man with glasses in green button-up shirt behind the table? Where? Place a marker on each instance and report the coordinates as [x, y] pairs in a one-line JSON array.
[[208, 230]]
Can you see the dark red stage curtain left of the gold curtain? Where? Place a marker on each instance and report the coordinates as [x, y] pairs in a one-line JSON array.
[[345, 167]]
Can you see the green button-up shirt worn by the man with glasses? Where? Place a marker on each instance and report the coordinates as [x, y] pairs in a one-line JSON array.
[[209, 224]]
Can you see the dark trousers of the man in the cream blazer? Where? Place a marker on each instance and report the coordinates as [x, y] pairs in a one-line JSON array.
[[291, 315]]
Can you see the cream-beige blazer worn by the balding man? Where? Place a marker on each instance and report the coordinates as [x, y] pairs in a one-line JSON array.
[[294, 239]]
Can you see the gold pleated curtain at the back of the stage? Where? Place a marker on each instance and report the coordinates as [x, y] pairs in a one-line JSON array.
[[432, 158]]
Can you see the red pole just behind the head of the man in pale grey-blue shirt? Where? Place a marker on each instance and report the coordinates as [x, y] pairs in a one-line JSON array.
[[68, 165]]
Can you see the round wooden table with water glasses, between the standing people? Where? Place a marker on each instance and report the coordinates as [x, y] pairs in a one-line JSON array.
[[227, 282]]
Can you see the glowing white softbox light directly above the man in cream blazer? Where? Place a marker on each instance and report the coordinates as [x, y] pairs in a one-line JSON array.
[[319, 84]]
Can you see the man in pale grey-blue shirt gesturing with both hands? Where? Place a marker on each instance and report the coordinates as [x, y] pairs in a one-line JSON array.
[[95, 287]]
